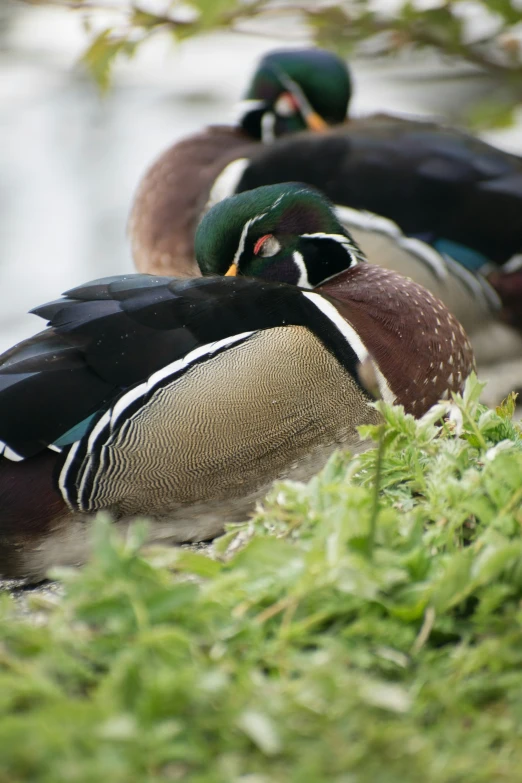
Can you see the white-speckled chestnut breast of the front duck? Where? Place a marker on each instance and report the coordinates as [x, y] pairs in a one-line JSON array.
[[420, 348]]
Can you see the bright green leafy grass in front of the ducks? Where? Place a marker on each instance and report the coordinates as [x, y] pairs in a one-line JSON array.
[[343, 635]]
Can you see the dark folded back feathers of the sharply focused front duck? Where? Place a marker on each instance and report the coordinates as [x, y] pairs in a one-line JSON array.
[[113, 333]]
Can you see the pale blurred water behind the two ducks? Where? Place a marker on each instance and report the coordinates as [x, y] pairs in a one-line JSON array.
[[70, 159]]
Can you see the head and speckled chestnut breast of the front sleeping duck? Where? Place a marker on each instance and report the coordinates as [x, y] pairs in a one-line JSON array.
[[289, 233]]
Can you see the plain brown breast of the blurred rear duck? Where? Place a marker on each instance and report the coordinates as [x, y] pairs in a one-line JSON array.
[[171, 199]]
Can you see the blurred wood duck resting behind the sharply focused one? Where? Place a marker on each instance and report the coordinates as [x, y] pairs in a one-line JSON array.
[[438, 185]]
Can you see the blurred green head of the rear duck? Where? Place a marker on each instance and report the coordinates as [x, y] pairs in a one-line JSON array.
[[294, 90]]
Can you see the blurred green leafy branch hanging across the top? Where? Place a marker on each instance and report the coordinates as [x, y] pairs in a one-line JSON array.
[[482, 33]]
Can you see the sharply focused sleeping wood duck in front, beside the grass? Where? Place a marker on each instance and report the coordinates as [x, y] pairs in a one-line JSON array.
[[183, 400]]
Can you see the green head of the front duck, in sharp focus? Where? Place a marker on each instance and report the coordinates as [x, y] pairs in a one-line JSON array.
[[287, 233]]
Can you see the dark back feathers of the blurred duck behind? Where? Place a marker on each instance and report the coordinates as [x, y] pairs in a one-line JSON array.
[[434, 182]]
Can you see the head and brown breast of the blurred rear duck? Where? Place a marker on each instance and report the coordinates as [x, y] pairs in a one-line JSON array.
[[291, 91]]
